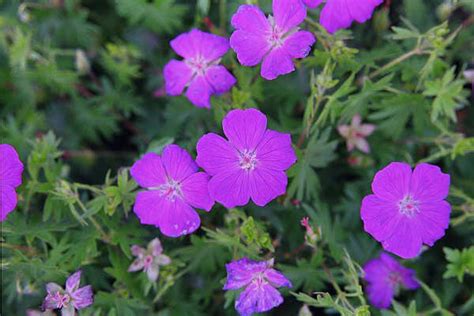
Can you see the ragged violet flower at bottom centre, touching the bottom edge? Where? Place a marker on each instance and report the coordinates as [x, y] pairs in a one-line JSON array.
[[259, 281]]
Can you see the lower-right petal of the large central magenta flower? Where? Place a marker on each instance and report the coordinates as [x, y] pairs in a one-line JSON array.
[[266, 185]]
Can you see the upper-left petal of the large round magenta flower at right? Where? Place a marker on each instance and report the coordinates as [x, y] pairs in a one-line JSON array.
[[392, 183]]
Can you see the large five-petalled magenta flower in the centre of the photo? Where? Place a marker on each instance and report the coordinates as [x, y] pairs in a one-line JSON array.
[[250, 164]]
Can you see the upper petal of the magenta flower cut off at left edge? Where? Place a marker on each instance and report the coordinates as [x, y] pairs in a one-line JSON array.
[[11, 167]]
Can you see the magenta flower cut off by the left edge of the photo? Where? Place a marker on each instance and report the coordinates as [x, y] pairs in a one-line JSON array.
[[11, 169]]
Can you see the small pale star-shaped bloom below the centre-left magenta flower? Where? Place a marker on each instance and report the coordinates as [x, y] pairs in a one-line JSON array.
[[149, 260]]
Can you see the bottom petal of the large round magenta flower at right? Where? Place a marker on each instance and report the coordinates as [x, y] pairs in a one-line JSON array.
[[405, 241]]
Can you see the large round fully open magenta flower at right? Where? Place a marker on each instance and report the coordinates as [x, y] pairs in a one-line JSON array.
[[408, 209]]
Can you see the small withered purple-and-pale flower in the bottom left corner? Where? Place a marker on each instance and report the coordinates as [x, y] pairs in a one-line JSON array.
[[70, 299]]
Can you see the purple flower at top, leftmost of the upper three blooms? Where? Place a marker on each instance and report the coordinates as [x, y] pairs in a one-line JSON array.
[[200, 71]]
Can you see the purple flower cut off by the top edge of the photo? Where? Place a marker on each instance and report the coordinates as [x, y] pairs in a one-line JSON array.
[[340, 14]]
